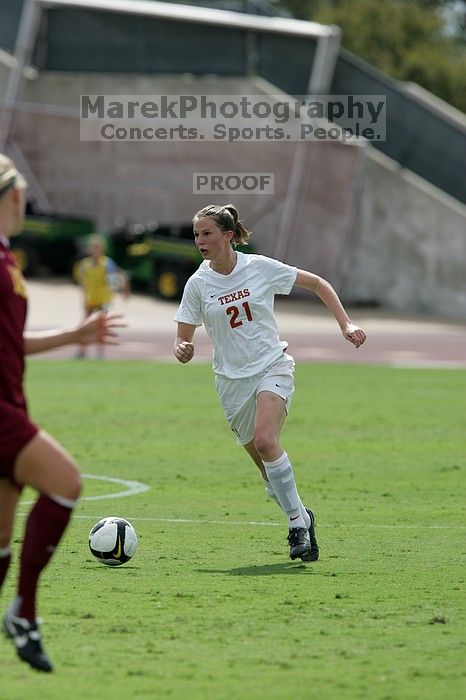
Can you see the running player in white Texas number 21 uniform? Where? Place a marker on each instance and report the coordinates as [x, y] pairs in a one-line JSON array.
[[232, 294]]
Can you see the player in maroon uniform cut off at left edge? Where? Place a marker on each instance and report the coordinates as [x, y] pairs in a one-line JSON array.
[[28, 455]]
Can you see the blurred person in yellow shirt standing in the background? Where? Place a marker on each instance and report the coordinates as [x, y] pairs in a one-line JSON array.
[[99, 278]]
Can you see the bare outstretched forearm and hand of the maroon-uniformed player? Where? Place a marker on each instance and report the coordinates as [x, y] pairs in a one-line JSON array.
[[98, 328]]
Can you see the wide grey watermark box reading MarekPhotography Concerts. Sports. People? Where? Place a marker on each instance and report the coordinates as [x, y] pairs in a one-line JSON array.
[[230, 118]]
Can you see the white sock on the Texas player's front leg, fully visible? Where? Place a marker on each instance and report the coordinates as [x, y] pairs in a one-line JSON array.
[[282, 482]]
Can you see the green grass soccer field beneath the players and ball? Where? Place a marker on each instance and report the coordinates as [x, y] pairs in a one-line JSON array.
[[211, 607]]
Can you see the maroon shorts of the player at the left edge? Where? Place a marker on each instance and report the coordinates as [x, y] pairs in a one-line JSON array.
[[16, 430]]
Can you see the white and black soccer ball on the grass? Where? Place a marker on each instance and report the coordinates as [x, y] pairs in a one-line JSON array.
[[113, 541]]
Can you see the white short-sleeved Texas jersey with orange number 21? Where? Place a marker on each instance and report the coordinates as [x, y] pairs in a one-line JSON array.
[[237, 312]]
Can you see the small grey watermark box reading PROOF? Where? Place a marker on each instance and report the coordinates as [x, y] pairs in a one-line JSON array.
[[233, 183]]
